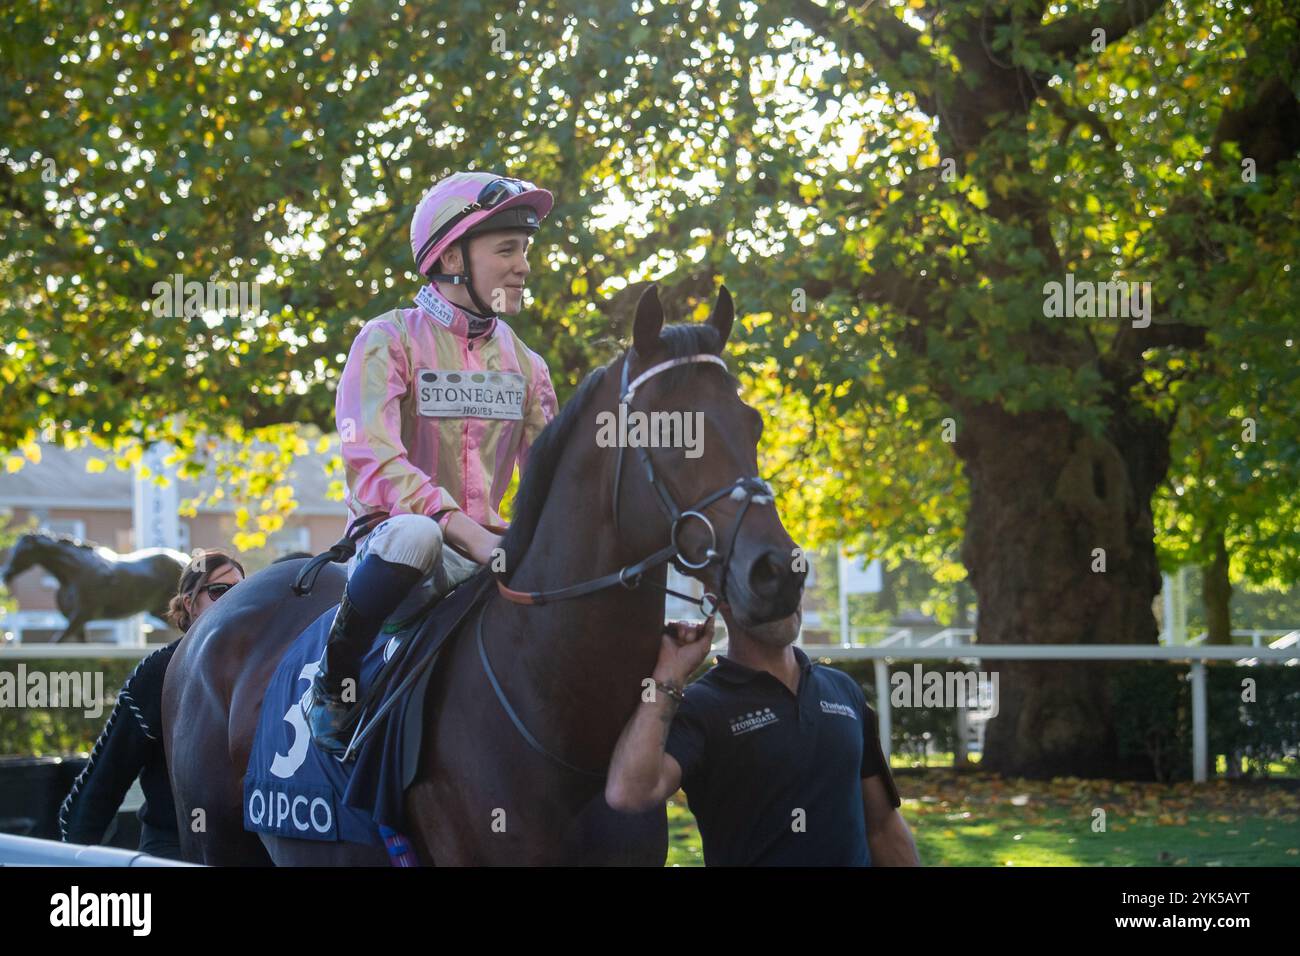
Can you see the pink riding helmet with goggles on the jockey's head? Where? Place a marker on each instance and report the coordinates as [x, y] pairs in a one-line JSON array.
[[458, 204]]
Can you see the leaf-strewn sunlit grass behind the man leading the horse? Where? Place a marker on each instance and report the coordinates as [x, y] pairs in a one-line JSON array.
[[980, 820]]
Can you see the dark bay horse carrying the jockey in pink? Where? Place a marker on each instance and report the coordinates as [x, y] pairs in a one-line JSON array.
[[573, 668]]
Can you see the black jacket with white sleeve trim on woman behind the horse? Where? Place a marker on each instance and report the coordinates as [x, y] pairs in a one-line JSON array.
[[131, 746]]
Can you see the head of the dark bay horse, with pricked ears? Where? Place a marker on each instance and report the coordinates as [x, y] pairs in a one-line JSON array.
[[687, 403]]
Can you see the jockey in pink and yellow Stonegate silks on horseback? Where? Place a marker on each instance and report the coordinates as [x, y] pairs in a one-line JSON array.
[[436, 408]]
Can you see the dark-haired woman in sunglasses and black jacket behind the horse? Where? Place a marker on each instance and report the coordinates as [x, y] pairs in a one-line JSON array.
[[131, 745]]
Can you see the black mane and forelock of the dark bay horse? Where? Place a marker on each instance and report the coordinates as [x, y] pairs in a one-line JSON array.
[[535, 486]]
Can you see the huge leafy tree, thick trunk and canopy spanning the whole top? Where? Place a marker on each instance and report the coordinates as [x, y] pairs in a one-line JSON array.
[[891, 191]]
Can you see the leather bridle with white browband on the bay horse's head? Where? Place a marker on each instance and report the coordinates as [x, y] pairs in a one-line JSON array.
[[743, 490]]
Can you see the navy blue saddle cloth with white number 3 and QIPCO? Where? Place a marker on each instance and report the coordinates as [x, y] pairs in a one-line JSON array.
[[292, 789]]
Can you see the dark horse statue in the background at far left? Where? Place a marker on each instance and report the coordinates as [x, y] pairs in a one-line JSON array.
[[97, 583]]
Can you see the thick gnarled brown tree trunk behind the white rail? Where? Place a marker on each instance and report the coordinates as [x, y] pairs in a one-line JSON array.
[[1045, 498]]
